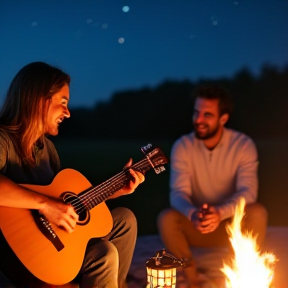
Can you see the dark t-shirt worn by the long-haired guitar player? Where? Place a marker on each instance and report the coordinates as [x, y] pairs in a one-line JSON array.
[[47, 162]]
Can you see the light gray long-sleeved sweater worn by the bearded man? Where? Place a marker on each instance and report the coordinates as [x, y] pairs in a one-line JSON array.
[[218, 177]]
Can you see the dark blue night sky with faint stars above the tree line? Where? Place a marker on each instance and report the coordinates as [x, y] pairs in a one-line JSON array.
[[161, 39]]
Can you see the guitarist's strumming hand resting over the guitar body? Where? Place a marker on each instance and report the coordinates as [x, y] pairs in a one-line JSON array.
[[60, 214]]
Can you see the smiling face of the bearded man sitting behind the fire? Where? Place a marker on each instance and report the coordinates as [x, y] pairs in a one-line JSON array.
[[206, 118]]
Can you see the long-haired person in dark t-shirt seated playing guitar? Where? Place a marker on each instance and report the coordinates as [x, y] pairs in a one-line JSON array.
[[36, 103]]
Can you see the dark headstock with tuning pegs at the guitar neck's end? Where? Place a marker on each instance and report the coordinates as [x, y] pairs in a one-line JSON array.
[[155, 157]]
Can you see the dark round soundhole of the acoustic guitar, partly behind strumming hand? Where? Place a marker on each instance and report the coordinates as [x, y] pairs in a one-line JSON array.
[[79, 207]]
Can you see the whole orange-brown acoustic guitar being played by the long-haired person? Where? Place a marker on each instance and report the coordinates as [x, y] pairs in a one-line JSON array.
[[50, 253]]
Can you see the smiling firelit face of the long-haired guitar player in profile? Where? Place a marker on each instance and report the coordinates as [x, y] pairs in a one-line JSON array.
[[58, 110]]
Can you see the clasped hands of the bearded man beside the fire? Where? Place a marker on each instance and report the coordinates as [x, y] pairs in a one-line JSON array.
[[206, 219]]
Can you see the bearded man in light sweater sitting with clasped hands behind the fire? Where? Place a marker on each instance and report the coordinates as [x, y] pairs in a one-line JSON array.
[[211, 169]]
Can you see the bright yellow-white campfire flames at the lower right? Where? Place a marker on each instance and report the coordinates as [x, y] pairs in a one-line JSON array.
[[249, 268]]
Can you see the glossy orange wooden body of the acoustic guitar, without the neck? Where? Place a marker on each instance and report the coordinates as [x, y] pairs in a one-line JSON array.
[[35, 251]]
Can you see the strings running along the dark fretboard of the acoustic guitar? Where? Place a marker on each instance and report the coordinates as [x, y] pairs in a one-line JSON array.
[[101, 189]]
